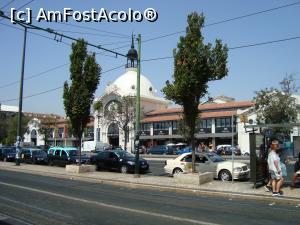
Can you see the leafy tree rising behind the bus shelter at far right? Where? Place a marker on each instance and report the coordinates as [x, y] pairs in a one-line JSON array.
[[277, 106]]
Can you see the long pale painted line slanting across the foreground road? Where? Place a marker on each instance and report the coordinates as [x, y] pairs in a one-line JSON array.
[[111, 205]]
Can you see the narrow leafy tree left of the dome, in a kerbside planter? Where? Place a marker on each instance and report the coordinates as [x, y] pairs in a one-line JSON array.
[[79, 96]]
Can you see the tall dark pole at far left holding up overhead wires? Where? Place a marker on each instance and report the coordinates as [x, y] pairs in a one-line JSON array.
[[19, 132]]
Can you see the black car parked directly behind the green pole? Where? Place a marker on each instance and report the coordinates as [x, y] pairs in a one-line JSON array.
[[121, 161]]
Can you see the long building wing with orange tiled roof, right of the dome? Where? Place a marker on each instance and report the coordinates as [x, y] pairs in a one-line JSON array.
[[218, 124]]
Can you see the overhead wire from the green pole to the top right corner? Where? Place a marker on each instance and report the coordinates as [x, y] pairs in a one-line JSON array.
[[226, 20]]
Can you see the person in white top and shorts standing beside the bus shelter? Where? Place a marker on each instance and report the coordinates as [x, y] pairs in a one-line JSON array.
[[275, 169]]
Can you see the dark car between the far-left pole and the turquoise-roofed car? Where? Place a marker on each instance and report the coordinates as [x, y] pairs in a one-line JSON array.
[[34, 156]]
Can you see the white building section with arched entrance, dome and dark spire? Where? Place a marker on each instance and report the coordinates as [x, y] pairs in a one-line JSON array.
[[111, 131]]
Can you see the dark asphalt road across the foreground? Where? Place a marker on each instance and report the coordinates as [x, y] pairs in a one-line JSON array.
[[34, 199]]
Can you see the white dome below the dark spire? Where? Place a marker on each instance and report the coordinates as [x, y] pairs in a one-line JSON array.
[[126, 84]]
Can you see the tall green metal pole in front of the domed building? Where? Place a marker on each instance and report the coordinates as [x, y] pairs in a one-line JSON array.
[[137, 110]]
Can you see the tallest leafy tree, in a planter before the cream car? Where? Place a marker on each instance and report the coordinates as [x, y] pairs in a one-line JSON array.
[[196, 63]]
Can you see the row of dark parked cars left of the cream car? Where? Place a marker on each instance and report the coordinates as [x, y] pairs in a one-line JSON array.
[[116, 160]]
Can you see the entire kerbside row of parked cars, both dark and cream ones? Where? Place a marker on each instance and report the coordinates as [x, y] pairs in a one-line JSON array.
[[124, 162]]
